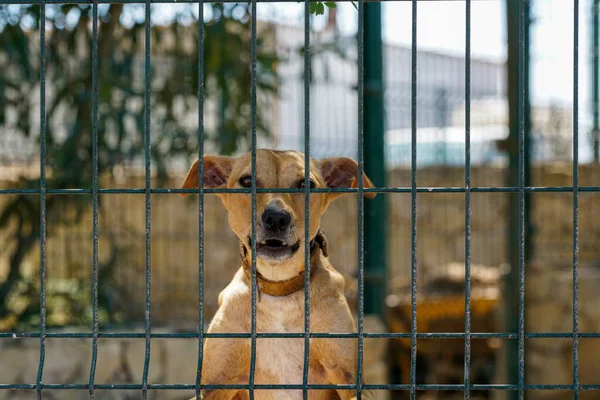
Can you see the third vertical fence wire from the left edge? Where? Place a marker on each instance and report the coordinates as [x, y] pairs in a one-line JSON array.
[[147, 146]]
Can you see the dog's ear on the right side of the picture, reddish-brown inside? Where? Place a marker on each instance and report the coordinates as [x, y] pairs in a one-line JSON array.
[[342, 172]]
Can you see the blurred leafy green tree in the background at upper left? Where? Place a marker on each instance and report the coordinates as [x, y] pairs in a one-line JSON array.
[[121, 119]]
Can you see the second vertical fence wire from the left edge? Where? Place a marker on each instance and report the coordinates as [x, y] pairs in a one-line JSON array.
[[94, 198]]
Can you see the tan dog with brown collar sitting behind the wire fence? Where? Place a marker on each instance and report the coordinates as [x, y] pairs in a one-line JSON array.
[[280, 272]]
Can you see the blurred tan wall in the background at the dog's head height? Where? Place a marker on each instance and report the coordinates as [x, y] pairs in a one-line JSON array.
[[440, 236]]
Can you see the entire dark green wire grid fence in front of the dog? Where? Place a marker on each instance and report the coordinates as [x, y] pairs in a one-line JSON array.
[[414, 189]]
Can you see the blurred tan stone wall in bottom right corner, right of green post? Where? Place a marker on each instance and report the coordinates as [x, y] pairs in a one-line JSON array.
[[549, 300]]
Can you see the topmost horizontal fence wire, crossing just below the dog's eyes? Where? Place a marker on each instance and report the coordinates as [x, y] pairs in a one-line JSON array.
[[454, 189]]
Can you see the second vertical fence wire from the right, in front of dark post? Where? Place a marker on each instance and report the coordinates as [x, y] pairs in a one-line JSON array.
[[521, 113]]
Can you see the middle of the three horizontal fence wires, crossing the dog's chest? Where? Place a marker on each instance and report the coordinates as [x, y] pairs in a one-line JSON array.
[[372, 335]]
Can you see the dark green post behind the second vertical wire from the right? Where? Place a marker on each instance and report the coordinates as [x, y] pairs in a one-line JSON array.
[[512, 288]]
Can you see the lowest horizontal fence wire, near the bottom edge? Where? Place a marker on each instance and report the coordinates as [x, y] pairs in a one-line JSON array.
[[174, 386]]
